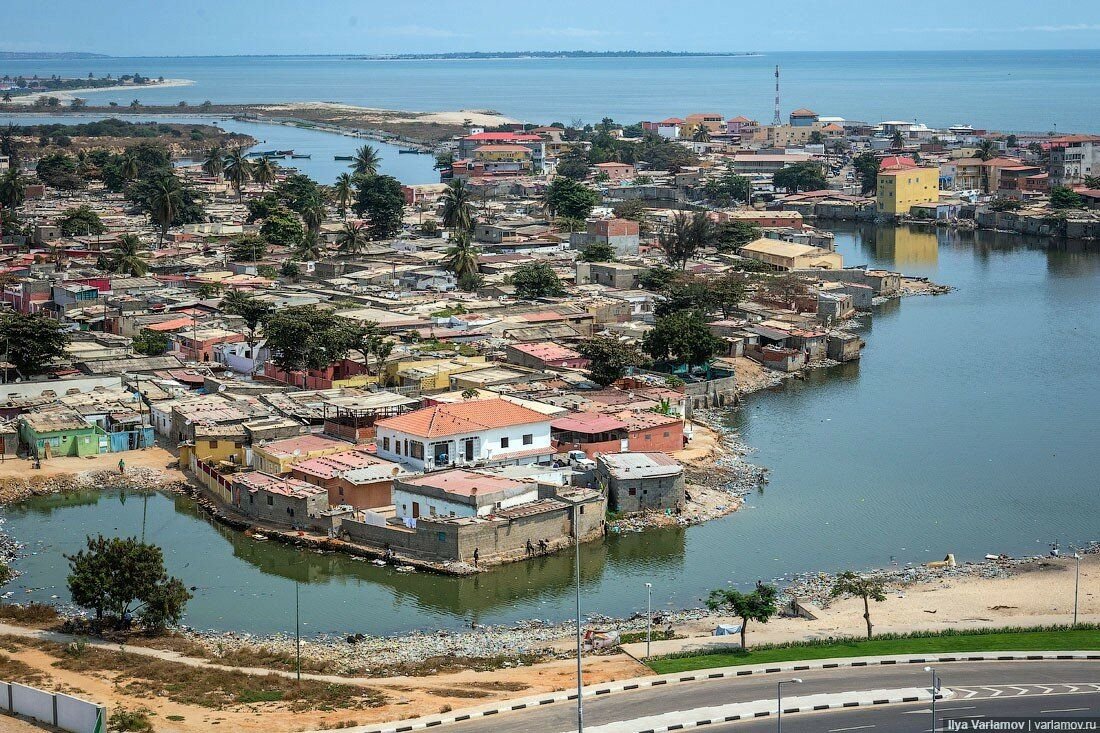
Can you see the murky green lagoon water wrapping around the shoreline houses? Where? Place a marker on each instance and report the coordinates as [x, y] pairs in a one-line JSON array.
[[969, 428]]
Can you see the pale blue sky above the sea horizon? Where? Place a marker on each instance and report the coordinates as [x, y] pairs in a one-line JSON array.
[[200, 28]]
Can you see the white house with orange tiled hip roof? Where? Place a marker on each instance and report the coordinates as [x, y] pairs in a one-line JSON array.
[[477, 433]]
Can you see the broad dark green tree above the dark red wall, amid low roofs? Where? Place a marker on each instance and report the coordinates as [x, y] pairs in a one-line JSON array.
[[307, 337]]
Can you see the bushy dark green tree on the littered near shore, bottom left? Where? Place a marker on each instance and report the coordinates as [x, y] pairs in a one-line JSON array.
[[118, 578]]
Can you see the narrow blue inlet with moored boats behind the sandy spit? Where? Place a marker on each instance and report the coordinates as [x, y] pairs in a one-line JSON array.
[[322, 147]]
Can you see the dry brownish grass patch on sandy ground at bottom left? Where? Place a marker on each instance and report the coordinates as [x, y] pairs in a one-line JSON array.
[[211, 688]]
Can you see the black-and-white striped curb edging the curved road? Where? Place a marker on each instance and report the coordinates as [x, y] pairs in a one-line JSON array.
[[724, 673]]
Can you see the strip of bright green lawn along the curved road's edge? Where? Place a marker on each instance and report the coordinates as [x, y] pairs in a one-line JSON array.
[[1049, 639]]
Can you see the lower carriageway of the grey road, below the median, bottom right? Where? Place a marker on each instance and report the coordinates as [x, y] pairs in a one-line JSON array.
[[918, 718]]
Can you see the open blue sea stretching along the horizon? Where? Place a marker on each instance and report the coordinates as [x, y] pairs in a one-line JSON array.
[[1036, 91]]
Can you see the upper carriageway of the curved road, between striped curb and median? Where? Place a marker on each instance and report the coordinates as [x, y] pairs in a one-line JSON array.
[[629, 706]]
